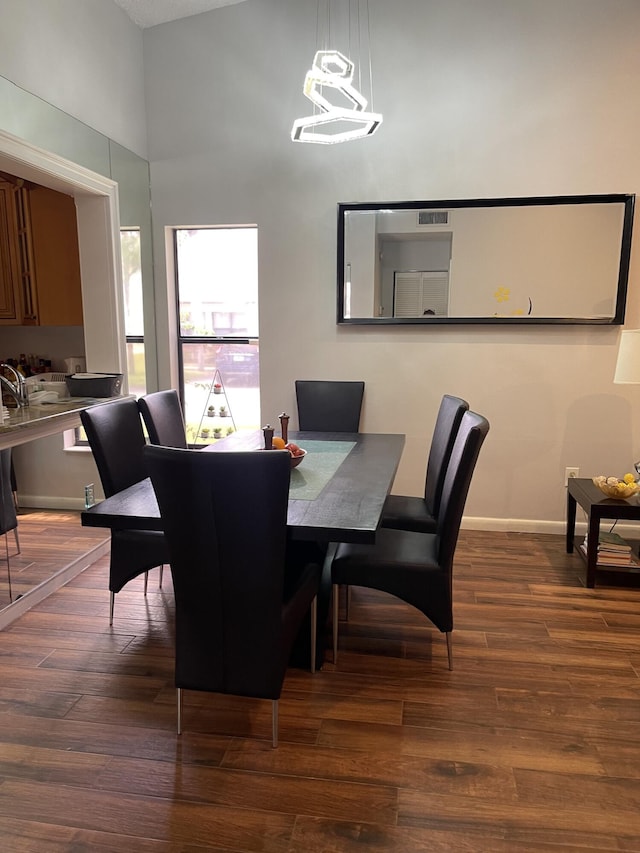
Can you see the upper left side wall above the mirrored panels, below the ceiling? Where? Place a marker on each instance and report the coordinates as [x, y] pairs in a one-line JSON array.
[[82, 56]]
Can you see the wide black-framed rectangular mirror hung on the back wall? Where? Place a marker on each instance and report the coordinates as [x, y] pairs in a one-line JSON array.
[[556, 259]]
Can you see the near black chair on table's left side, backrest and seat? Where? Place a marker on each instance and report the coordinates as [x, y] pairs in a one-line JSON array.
[[115, 435]]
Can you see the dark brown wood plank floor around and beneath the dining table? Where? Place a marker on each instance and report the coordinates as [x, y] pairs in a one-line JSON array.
[[532, 743]]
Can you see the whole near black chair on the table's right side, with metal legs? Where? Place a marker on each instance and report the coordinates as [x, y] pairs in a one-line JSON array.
[[418, 567]]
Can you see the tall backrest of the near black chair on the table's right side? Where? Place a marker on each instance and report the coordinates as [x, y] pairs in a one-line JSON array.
[[464, 455]]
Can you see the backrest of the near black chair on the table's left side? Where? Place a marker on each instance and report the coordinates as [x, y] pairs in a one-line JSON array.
[[115, 435]]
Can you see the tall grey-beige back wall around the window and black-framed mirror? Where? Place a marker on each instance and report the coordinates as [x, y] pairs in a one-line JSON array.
[[480, 98]]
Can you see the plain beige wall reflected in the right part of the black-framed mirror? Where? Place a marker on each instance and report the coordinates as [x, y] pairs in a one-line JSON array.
[[537, 254]]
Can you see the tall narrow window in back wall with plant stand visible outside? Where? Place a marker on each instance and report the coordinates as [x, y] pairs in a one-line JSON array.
[[217, 304]]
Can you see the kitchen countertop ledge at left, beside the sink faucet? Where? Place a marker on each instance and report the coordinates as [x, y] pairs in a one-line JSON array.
[[37, 421]]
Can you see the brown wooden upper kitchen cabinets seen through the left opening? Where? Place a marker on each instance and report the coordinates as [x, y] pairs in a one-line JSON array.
[[41, 257]]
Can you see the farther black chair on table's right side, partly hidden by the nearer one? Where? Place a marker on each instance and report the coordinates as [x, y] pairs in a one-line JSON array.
[[405, 512]]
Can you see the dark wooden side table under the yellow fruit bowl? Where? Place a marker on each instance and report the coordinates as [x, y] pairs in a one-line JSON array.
[[597, 506]]
